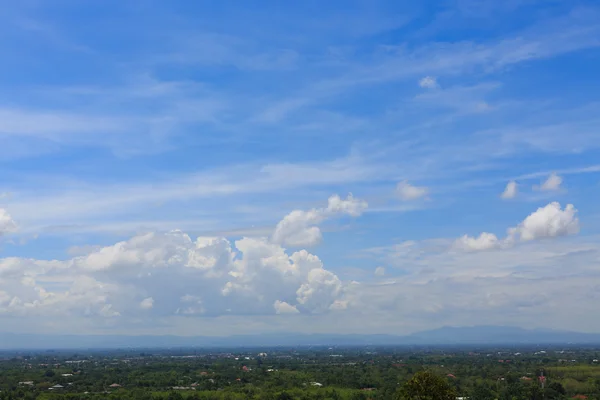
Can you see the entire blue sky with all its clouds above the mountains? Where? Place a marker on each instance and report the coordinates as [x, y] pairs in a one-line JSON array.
[[173, 167]]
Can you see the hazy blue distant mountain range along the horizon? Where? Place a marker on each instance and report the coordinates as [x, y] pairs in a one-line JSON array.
[[475, 335]]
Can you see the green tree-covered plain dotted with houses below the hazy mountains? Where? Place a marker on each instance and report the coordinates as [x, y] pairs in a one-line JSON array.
[[304, 373]]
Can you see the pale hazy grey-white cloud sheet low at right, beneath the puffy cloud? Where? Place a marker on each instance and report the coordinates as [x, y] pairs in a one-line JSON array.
[[506, 285]]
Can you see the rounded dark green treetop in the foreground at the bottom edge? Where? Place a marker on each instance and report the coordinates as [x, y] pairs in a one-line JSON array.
[[426, 385]]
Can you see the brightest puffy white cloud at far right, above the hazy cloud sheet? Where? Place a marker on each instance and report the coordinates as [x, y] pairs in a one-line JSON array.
[[546, 222]]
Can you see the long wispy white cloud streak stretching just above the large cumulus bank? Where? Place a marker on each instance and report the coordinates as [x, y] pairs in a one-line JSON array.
[[94, 203]]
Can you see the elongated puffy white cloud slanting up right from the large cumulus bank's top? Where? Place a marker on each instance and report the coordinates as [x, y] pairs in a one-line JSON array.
[[299, 228]]
